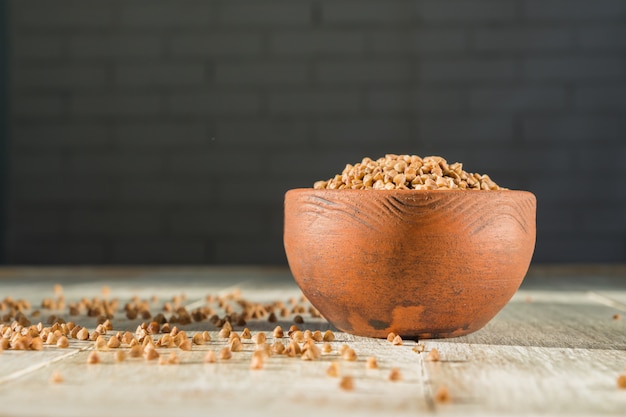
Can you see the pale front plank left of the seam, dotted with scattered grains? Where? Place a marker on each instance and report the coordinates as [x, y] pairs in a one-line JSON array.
[[286, 386]]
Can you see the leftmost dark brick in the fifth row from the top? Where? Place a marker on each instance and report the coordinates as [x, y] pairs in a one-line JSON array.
[[47, 136]]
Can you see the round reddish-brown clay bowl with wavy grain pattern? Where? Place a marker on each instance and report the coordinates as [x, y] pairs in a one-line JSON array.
[[421, 264]]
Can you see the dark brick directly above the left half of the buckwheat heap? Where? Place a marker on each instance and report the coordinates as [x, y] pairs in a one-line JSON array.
[[362, 132]]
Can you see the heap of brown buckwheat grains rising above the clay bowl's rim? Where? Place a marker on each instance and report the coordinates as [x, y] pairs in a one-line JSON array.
[[407, 172]]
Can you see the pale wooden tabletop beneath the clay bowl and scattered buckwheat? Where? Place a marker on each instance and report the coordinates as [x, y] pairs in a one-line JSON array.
[[556, 349]]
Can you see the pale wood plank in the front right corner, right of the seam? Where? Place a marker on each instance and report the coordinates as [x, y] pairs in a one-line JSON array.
[[520, 380]]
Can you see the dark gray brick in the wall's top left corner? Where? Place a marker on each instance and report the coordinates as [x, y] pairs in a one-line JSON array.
[[61, 15]]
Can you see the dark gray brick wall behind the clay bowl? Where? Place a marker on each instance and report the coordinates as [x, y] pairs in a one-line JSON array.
[[168, 131]]
